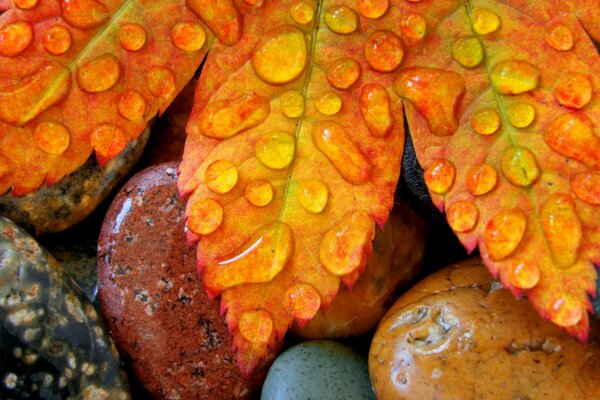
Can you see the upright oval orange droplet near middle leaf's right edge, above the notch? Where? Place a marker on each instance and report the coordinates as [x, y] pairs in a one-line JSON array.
[[374, 106]]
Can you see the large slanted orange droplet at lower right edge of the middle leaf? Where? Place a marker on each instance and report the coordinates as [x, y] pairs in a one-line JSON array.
[[343, 248]]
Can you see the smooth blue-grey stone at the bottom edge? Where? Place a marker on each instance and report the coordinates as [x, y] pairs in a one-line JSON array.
[[323, 370]]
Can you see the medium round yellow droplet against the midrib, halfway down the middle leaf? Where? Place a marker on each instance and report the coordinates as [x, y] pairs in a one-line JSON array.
[[275, 149]]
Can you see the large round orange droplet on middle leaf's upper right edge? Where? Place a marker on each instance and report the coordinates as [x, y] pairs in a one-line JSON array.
[[384, 51]]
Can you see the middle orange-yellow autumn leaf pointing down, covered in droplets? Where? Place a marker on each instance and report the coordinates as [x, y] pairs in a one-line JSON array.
[[292, 157]]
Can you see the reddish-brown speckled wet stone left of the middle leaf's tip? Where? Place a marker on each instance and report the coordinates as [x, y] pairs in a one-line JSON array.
[[153, 300]]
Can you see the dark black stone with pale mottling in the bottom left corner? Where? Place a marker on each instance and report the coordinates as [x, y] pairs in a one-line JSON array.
[[52, 342]]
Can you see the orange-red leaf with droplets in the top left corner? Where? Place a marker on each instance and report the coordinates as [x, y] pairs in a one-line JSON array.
[[78, 76]]
